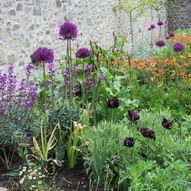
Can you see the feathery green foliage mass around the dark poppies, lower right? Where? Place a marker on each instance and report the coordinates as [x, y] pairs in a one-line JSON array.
[[149, 165]]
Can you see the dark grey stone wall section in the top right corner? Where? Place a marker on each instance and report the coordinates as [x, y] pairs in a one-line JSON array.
[[179, 14]]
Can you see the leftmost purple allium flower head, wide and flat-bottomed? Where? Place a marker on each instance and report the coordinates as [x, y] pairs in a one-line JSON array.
[[43, 55]]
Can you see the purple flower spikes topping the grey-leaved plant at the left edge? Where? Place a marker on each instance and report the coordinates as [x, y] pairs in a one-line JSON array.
[[23, 96]]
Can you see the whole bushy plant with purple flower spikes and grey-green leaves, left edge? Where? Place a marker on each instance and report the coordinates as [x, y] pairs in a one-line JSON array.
[[17, 101]]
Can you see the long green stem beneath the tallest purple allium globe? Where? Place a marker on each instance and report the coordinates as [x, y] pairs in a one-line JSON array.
[[69, 61]]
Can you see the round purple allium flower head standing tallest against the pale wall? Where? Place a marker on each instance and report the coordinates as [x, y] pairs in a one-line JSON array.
[[68, 31]]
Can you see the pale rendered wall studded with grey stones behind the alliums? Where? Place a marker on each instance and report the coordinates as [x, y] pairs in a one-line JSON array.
[[27, 24]]
